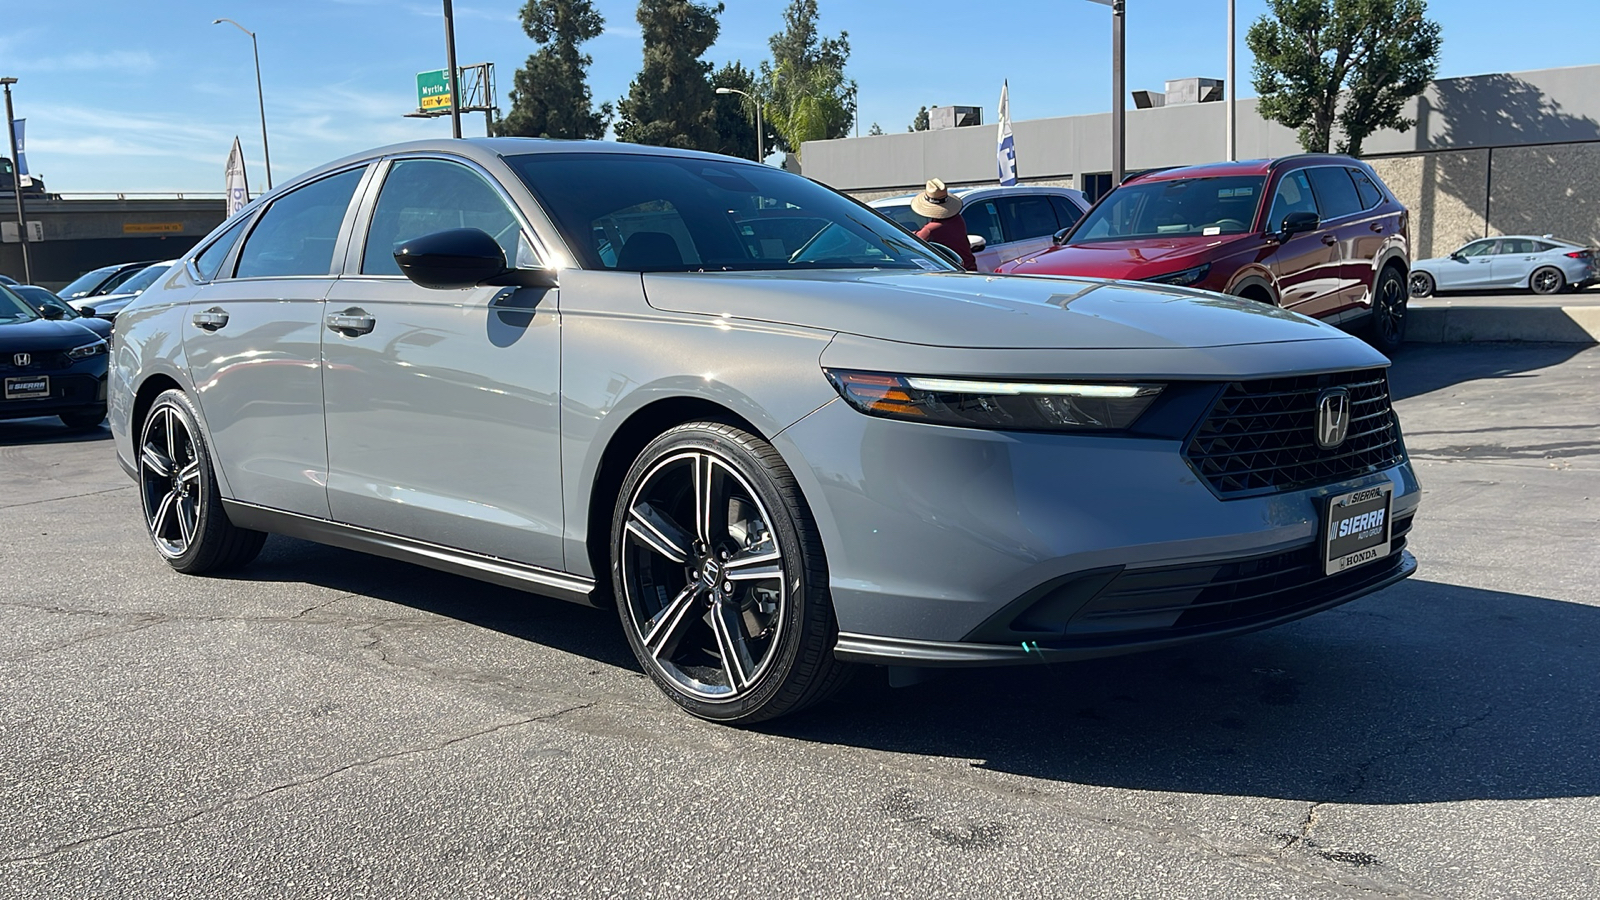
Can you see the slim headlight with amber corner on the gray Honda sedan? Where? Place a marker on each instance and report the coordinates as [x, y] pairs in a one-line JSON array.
[[1001, 406]]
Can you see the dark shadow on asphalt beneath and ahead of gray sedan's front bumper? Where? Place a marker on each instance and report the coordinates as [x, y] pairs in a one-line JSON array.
[[1422, 694]]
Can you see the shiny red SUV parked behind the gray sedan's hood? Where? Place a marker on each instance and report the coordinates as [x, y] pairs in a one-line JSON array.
[[1319, 235]]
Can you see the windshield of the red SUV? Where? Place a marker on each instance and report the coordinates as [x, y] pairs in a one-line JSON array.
[[1175, 209]]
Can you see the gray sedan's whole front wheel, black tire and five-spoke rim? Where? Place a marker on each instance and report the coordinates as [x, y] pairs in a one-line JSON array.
[[724, 601]]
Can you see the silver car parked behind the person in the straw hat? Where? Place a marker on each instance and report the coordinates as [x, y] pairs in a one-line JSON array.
[[1002, 223]]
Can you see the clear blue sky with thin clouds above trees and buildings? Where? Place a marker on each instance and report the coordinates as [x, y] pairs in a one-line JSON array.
[[150, 95]]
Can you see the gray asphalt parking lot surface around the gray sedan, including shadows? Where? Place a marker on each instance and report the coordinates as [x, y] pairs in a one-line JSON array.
[[329, 725]]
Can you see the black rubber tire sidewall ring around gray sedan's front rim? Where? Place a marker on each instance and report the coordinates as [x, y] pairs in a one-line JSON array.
[[711, 440]]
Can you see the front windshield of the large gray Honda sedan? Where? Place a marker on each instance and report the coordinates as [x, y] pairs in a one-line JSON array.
[[646, 214]]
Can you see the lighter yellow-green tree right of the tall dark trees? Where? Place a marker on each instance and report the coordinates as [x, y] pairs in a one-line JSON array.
[[807, 94]]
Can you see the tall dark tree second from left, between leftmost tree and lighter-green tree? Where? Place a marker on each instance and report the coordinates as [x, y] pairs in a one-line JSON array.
[[671, 103]]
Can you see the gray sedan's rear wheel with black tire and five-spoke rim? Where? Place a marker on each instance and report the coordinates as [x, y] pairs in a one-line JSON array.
[[183, 508]]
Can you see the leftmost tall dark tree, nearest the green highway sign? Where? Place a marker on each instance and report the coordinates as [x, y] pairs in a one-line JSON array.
[[551, 92]]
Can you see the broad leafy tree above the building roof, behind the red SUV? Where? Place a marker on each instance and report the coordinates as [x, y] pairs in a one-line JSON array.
[[1378, 54]]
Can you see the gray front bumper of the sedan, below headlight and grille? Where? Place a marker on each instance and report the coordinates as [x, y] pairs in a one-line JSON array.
[[942, 539]]
